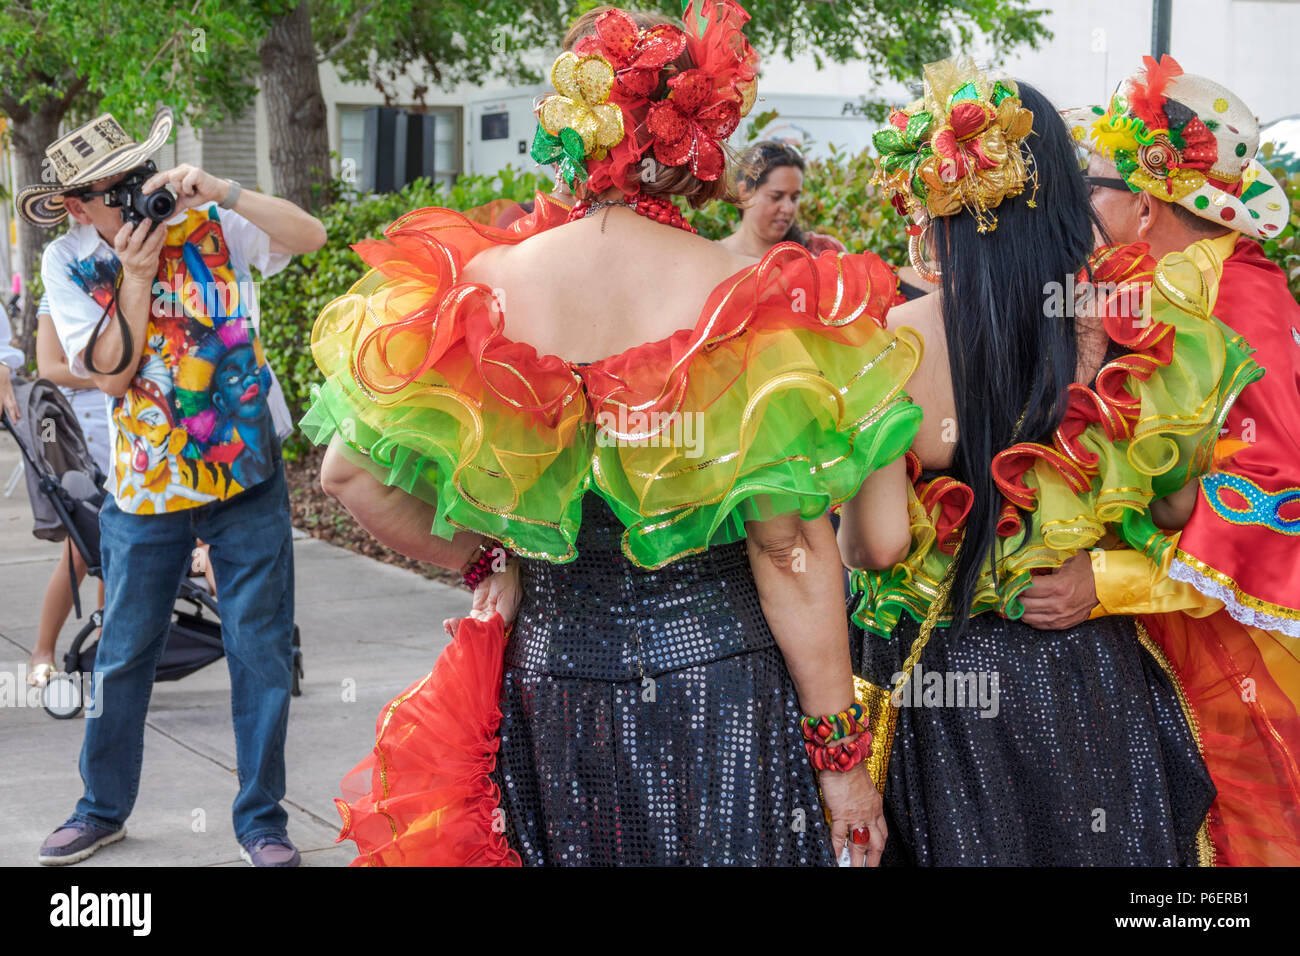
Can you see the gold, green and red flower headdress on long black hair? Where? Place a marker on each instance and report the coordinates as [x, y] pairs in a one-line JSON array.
[[959, 146]]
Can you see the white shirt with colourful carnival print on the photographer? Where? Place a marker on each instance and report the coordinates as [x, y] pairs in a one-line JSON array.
[[198, 421]]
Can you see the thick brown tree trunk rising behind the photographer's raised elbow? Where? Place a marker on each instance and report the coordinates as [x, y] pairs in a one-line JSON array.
[[296, 110]]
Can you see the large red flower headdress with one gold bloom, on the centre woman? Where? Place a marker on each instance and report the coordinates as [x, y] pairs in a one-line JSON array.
[[619, 100]]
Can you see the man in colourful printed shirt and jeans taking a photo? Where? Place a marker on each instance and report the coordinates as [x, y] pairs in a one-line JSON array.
[[153, 299]]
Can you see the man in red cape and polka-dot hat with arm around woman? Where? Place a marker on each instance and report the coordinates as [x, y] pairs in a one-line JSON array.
[[1173, 163]]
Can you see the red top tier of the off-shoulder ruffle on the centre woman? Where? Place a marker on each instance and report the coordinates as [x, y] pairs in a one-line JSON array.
[[460, 330]]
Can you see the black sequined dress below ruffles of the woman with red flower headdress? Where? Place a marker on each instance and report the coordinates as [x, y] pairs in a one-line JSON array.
[[648, 717]]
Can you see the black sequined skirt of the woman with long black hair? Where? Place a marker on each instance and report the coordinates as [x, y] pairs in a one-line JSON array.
[[1024, 747]]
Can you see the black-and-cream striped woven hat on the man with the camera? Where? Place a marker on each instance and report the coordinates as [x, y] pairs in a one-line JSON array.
[[97, 152]]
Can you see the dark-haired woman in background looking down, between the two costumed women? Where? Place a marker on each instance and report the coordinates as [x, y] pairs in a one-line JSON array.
[[769, 183]]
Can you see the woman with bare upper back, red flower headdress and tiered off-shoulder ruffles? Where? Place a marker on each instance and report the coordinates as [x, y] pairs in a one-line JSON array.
[[647, 512]]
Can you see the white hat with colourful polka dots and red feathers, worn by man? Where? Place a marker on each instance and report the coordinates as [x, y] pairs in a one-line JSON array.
[[1189, 141]]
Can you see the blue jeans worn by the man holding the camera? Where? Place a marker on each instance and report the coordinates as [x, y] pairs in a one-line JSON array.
[[145, 559]]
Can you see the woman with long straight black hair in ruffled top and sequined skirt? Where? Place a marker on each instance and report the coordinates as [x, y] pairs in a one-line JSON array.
[[1013, 746]]
